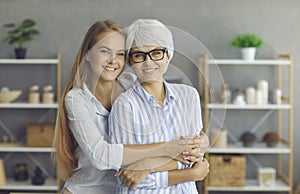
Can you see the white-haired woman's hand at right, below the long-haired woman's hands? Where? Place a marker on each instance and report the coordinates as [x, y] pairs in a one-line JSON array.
[[200, 170]]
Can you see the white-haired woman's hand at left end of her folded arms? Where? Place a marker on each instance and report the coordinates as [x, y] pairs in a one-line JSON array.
[[131, 178]]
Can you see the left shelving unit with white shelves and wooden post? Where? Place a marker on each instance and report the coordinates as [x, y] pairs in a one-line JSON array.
[[31, 110]]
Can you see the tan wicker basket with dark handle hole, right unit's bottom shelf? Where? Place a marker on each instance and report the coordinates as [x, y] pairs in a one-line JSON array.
[[227, 170]]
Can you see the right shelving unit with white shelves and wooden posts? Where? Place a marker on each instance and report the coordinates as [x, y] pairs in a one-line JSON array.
[[284, 182]]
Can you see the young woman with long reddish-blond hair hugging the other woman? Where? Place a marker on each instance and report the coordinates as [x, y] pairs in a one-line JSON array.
[[85, 158]]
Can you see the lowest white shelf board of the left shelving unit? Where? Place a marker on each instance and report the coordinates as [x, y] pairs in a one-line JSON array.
[[50, 185]]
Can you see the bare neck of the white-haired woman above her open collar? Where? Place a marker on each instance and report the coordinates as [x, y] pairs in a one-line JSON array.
[[156, 89]]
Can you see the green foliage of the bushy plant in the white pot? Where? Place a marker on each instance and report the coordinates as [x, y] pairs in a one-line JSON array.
[[246, 40]]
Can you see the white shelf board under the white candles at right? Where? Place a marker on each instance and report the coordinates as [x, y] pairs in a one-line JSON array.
[[249, 106]]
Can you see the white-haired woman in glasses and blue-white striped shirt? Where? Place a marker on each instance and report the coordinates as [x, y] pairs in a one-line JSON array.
[[152, 110]]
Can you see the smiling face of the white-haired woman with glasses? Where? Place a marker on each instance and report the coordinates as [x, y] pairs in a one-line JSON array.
[[149, 70]]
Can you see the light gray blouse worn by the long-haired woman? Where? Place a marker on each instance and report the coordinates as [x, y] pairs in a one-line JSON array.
[[98, 160]]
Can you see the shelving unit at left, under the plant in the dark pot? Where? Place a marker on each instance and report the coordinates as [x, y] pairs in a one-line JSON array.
[[51, 185]]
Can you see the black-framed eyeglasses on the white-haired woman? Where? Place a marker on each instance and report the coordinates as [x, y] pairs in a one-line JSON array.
[[155, 55]]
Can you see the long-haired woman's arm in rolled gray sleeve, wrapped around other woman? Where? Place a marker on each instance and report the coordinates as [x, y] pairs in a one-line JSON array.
[[81, 115]]
